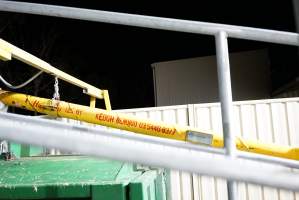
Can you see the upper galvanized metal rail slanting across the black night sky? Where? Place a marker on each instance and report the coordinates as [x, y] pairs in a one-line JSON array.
[[188, 26]]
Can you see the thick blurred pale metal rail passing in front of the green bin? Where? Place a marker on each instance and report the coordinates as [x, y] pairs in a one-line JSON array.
[[99, 142]]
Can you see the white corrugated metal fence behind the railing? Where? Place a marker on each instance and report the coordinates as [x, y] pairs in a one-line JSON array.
[[274, 121]]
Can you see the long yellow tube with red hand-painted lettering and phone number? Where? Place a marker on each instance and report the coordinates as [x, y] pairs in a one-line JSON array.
[[134, 124]]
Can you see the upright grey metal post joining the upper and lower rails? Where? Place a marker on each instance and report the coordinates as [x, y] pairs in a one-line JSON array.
[[225, 95]]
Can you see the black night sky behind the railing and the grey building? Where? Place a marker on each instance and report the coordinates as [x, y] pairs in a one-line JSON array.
[[118, 58]]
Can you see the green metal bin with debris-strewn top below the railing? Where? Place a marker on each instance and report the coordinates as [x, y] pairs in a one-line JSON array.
[[78, 177]]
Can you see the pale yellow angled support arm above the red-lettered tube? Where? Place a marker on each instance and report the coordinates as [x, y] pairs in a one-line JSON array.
[[9, 51]]
